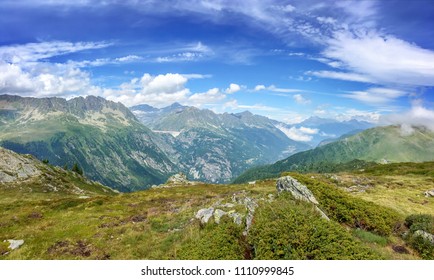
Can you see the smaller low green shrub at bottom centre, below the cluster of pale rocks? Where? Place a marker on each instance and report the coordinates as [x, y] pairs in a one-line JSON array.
[[222, 241]]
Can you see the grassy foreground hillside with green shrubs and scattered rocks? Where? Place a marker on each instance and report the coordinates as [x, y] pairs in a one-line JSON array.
[[162, 223]]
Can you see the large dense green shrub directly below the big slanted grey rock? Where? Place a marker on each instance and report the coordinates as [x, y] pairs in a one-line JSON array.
[[286, 229]]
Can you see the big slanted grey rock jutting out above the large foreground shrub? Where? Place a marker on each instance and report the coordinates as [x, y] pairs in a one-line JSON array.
[[299, 192]]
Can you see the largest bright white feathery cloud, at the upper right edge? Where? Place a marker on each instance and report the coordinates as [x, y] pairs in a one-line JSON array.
[[373, 57]]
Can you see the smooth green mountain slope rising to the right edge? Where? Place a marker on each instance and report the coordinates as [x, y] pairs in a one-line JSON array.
[[380, 144]]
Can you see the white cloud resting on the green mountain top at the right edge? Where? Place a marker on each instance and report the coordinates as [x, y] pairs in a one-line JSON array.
[[417, 116]]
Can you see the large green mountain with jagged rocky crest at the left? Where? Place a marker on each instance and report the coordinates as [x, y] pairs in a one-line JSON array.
[[103, 137]]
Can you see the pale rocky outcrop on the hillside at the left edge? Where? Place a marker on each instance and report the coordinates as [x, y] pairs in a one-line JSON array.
[[15, 167]]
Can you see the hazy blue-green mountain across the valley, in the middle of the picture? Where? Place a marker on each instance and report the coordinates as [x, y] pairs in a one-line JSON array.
[[217, 147]]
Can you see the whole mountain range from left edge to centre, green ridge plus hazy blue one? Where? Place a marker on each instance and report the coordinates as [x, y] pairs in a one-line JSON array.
[[113, 147]]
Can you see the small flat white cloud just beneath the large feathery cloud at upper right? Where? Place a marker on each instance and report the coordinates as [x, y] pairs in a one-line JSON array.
[[376, 96]]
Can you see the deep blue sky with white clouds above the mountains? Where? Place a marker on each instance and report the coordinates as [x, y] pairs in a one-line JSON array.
[[288, 60]]
